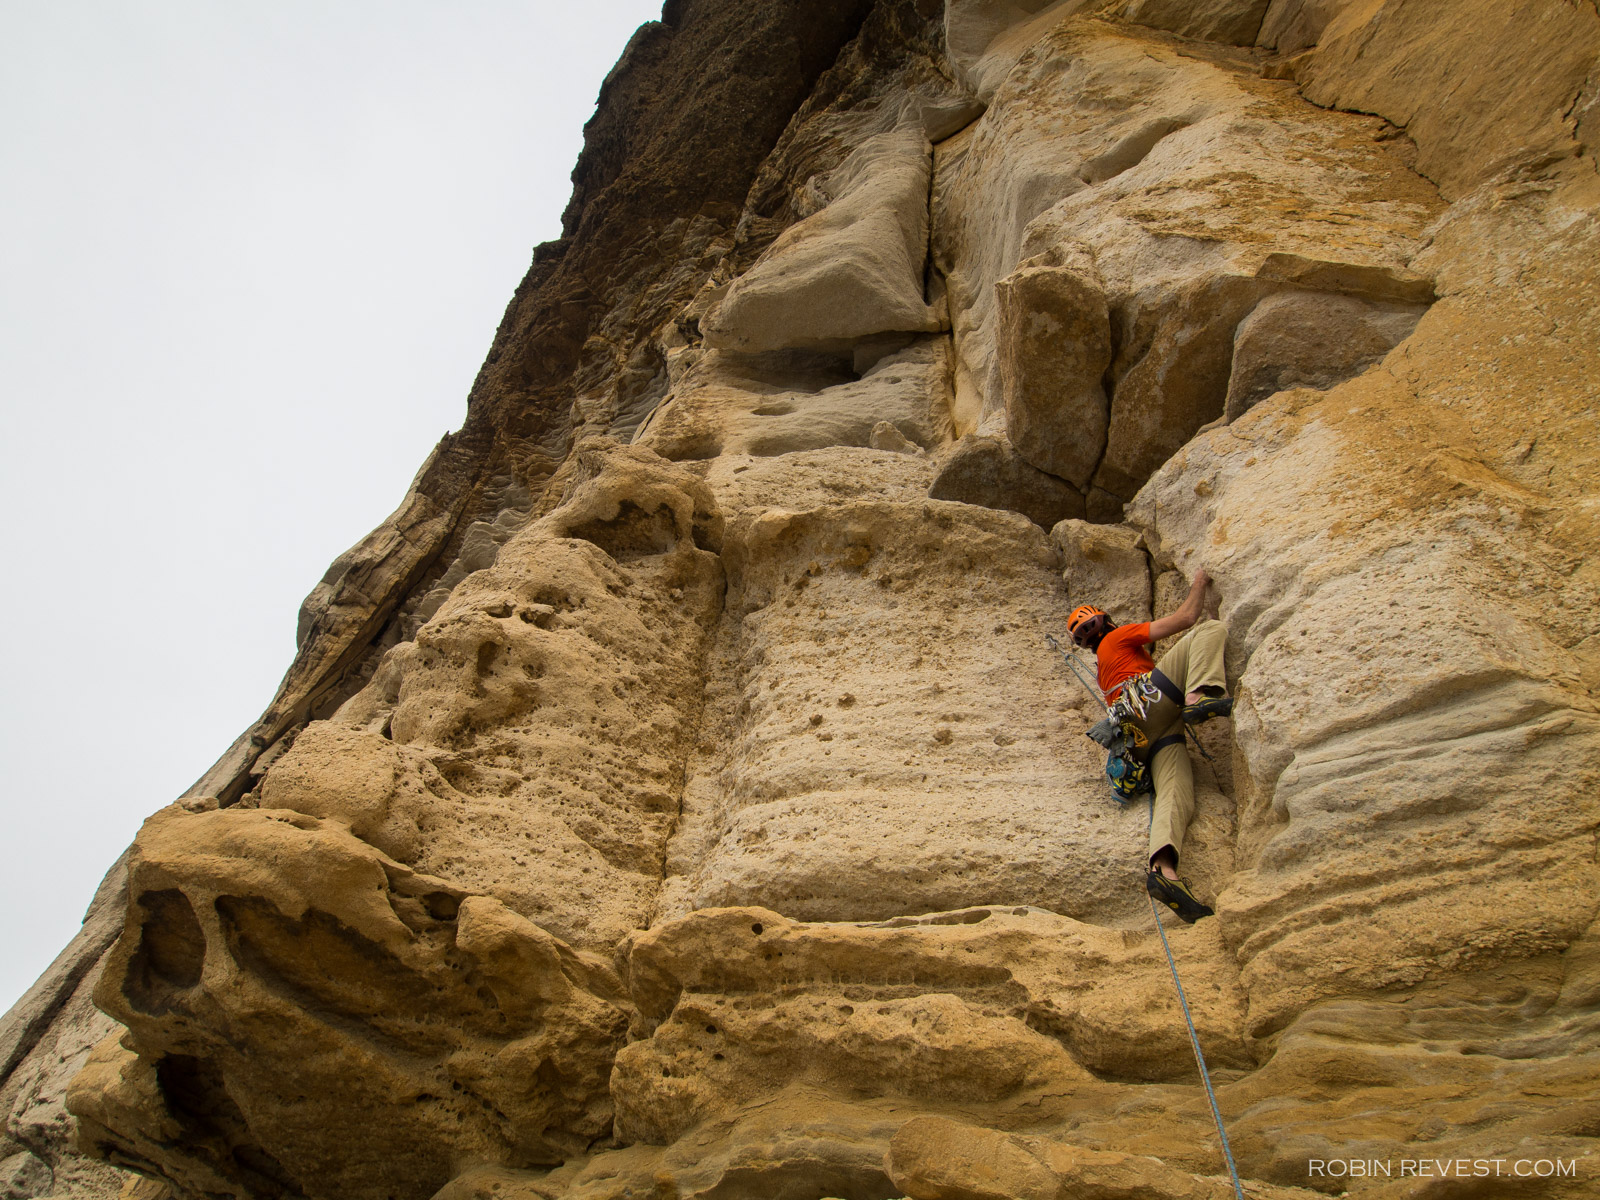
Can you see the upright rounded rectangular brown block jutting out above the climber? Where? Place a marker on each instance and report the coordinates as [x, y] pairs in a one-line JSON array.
[[1055, 348]]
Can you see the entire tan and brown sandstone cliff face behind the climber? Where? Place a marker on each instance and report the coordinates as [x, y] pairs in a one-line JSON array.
[[676, 798]]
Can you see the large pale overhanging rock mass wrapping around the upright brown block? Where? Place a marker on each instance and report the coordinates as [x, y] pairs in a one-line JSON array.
[[1164, 172]]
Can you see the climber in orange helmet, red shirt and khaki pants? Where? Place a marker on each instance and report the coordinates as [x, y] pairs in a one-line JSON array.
[[1159, 698]]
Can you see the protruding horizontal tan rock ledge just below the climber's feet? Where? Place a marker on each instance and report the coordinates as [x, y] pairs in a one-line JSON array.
[[1012, 1009]]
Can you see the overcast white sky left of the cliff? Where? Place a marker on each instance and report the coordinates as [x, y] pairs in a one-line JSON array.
[[252, 258]]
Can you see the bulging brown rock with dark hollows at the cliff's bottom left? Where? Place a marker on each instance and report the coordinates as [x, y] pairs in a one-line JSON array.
[[278, 974]]
